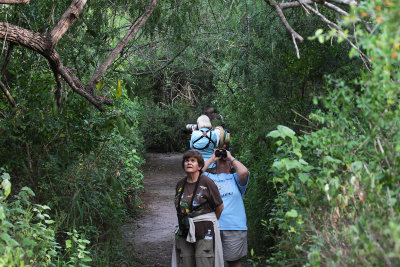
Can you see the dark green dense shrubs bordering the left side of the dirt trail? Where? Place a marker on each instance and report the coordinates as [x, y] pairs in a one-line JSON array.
[[85, 167]]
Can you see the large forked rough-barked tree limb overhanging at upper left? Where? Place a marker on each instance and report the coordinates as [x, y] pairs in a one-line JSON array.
[[45, 44]]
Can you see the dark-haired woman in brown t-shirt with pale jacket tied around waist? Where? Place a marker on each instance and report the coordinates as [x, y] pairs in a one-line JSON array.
[[198, 205]]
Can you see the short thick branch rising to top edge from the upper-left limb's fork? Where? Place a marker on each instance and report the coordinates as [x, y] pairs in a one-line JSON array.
[[67, 19]]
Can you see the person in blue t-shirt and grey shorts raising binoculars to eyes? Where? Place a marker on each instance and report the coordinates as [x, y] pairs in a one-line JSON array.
[[233, 221]]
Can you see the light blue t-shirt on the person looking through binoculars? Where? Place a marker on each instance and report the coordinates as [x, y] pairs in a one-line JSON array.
[[233, 216]]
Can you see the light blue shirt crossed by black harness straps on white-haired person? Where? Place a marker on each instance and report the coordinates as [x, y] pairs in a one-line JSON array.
[[203, 141]]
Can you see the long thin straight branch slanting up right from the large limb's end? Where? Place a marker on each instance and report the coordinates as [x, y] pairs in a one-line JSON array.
[[122, 43]]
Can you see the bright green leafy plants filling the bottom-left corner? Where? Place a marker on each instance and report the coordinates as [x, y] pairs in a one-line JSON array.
[[28, 234]]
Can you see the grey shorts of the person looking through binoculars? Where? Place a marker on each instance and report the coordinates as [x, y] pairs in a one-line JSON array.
[[234, 244]]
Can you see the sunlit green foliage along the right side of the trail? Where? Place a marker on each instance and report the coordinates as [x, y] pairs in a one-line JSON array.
[[337, 187]]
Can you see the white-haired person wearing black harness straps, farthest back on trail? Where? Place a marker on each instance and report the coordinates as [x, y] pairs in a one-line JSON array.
[[205, 139]]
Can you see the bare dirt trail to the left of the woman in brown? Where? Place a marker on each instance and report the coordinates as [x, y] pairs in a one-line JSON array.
[[151, 234]]
